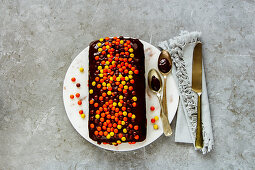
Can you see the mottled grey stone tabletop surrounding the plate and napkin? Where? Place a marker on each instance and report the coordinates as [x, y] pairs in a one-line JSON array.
[[38, 41]]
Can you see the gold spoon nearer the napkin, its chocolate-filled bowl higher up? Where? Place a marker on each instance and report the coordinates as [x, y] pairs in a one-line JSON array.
[[165, 67]]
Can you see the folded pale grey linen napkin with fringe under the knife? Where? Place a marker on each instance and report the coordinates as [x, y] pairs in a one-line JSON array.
[[181, 50]]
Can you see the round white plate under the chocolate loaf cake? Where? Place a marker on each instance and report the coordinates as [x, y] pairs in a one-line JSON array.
[[81, 125]]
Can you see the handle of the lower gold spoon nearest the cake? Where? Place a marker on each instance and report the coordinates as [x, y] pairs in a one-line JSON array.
[[165, 122]]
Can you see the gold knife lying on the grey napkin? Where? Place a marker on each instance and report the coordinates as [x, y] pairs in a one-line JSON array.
[[197, 88]]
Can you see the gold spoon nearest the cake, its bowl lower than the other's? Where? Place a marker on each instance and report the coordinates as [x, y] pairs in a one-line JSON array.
[[155, 84]]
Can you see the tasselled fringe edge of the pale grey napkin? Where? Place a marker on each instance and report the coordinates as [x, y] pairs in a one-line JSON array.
[[175, 47]]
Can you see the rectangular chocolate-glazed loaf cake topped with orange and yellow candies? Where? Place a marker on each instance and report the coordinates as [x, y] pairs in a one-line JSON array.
[[117, 106]]
